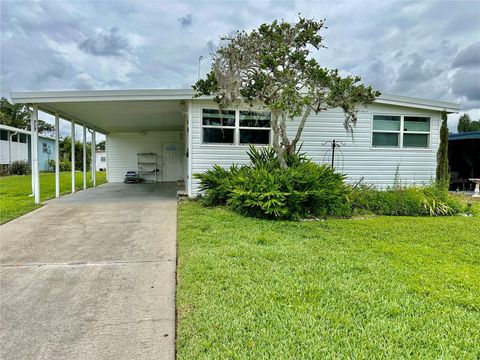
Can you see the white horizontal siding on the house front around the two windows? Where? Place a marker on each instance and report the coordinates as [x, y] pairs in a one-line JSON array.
[[356, 158]]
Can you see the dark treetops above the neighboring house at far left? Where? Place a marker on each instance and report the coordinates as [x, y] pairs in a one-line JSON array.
[[18, 115]]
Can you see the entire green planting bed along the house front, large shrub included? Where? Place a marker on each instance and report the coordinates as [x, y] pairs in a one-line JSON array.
[[305, 190]]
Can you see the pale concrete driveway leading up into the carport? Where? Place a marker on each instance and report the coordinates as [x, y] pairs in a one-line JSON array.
[[91, 276]]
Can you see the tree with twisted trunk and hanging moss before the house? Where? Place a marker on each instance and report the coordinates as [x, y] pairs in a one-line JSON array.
[[272, 66]]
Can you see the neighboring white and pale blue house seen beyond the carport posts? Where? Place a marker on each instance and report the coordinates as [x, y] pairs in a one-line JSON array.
[[14, 146]]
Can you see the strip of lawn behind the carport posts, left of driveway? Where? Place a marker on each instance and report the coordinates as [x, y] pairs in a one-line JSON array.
[[15, 190]]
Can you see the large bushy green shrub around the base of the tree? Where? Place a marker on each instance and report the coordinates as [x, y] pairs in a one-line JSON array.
[[264, 190]]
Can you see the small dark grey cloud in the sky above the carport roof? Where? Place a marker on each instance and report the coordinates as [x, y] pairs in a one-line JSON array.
[[105, 44]]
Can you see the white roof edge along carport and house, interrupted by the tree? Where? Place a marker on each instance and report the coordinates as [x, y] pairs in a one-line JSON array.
[[42, 98]]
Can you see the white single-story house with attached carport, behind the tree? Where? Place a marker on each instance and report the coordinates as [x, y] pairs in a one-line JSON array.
[[396, 136]]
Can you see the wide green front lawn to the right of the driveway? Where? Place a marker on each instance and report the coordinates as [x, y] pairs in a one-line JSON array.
[[372, 288]]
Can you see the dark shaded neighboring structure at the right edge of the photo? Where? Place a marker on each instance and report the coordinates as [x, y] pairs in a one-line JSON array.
[[464, 159]]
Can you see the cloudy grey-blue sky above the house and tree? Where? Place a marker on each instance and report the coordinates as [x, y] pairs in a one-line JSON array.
[[428, 49]]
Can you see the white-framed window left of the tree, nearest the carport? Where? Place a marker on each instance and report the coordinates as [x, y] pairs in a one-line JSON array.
[[235, 127]]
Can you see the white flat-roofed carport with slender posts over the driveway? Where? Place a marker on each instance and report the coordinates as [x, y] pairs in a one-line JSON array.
[[134, 122]]
